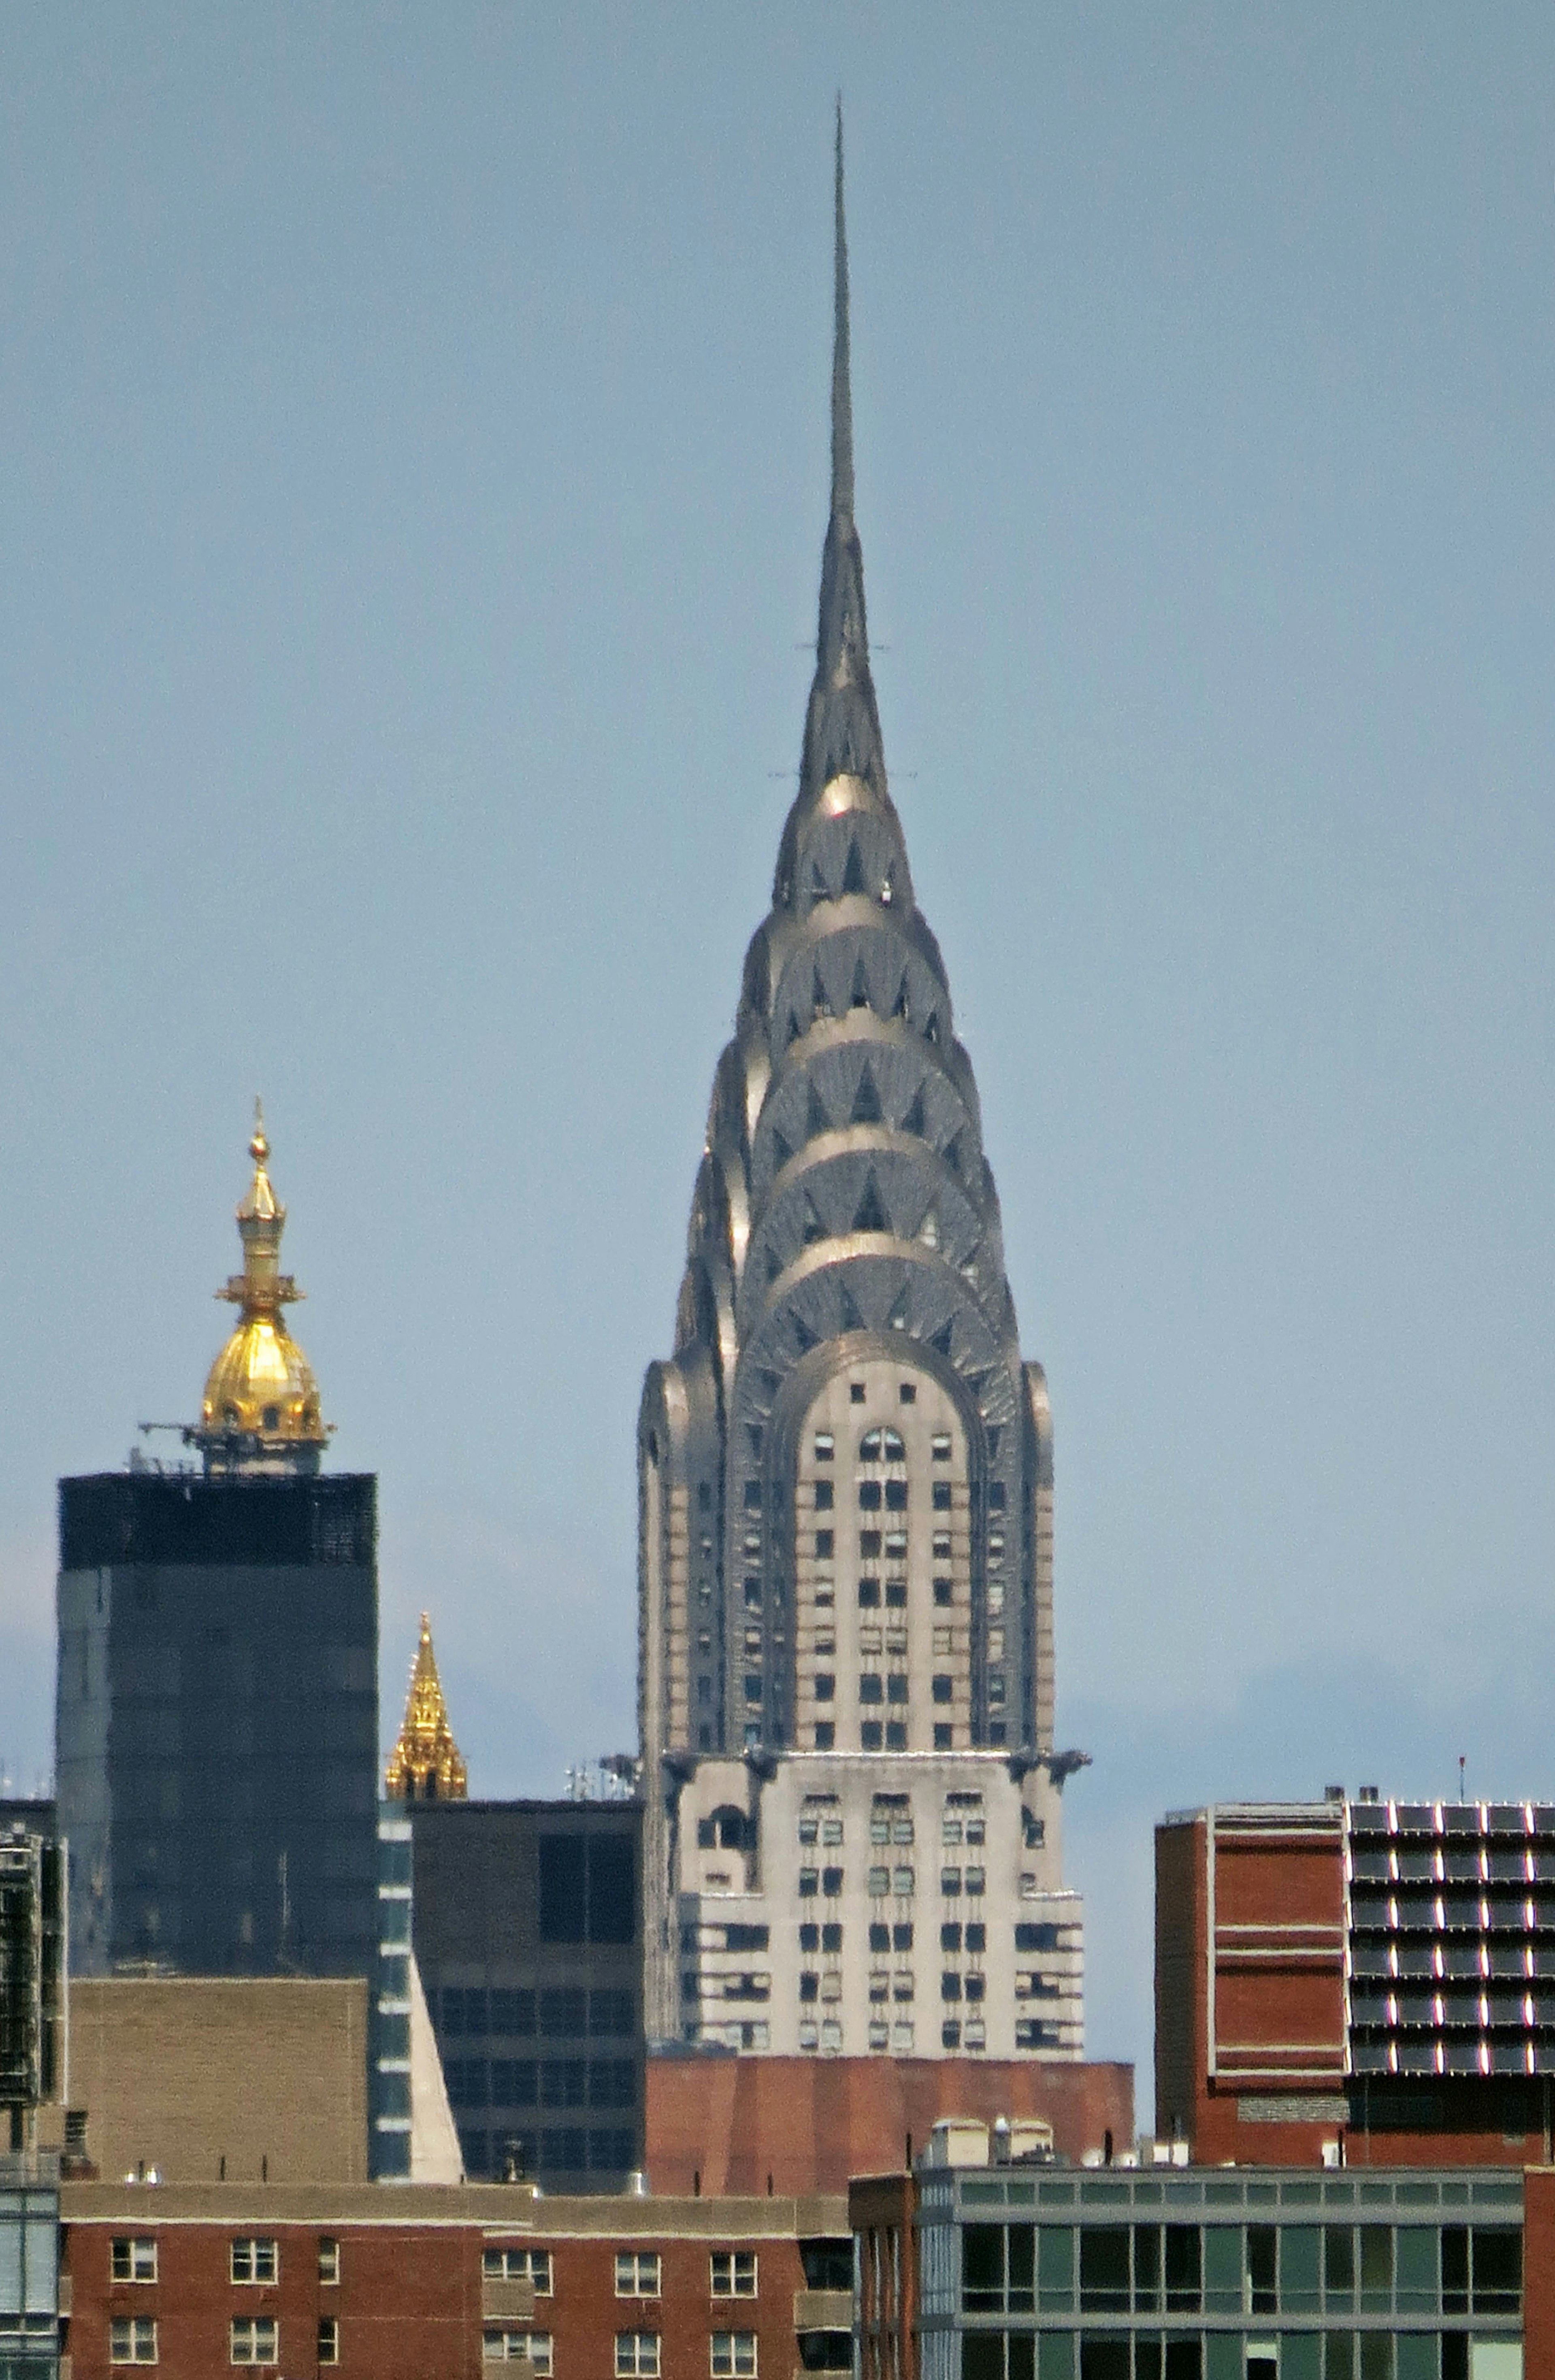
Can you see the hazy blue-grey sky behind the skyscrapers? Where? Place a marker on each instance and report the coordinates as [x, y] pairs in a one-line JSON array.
[[411, 513]]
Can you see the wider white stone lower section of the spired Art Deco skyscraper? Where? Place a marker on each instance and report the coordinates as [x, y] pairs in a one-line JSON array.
[[849, 1905]]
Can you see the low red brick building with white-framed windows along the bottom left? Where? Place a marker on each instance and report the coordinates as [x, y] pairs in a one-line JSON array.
[[437, 2284]]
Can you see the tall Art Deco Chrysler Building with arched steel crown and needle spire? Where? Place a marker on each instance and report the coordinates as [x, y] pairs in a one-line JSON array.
[[847, 1479]]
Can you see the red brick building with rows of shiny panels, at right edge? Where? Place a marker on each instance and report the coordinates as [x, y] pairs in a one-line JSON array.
[[1363, 1981]]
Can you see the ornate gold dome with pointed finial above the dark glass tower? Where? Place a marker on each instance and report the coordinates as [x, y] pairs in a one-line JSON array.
[[263, 1389]]
